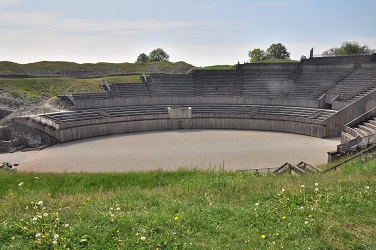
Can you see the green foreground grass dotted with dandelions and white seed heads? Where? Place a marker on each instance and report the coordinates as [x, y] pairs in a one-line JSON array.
[[189, 209]]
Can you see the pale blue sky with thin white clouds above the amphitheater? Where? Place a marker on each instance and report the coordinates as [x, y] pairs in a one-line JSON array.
[[200, 32]]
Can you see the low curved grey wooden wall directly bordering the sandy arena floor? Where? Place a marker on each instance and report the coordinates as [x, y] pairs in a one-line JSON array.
[[107, 127]]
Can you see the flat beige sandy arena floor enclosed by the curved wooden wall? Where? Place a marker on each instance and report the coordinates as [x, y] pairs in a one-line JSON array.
[[169, 150]]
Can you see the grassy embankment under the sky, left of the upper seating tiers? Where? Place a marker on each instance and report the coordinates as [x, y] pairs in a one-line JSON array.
[[50, 79]]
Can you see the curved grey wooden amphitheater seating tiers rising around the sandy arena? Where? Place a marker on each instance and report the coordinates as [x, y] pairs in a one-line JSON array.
[[321, 97]]
